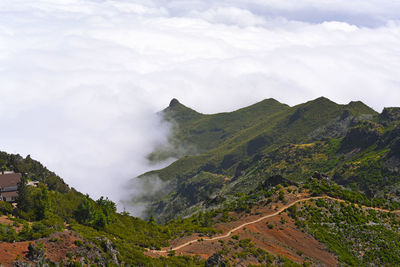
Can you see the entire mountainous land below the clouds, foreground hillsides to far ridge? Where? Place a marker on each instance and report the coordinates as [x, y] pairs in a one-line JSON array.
[[314, 184]]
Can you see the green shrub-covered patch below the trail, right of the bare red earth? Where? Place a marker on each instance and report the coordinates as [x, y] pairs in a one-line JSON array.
[[359, 237]]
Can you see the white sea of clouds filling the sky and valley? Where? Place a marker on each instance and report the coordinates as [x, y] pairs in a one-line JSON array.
[[81, 80]]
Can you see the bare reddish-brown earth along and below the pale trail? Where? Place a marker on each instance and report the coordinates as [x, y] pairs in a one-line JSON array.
[[284, 239]]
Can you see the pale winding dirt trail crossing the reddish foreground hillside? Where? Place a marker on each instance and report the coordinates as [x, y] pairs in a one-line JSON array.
[[263, 218]]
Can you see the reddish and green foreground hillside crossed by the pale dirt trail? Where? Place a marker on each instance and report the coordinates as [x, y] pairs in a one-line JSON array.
[[318, 224]]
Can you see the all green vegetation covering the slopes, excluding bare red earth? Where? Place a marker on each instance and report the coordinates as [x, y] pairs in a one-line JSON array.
[[238, 159]]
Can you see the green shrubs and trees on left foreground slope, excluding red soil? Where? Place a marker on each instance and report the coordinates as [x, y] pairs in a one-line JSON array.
[[44, 210]]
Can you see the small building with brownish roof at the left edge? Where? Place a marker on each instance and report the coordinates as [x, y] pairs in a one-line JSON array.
[[9, 186]]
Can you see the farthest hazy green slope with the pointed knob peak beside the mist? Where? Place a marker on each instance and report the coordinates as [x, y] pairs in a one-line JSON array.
[[195, 133]]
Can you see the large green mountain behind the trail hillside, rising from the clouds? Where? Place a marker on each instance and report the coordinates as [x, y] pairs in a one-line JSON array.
[[232, 152]]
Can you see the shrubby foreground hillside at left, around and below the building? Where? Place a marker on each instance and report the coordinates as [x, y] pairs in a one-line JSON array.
[[54, 225]]
